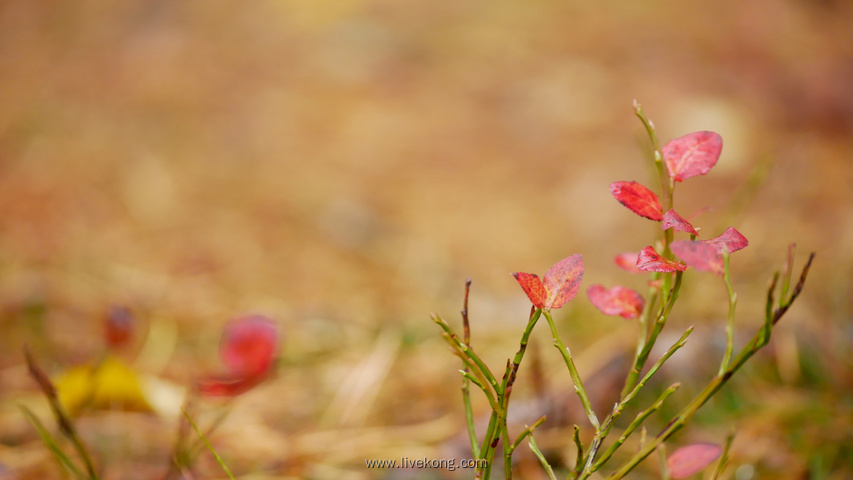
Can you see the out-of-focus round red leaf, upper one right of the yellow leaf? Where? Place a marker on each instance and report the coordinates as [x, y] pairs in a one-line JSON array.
[[249, 345]]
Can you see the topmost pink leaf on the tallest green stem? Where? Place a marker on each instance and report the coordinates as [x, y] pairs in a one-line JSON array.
[[691, 155]]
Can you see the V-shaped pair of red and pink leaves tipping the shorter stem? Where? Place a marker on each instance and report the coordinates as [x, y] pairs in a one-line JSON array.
[[561, 283]]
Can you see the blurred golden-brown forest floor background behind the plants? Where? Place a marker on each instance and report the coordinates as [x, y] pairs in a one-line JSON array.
[[343, 167]]
